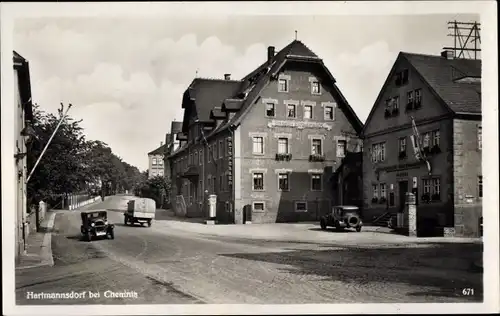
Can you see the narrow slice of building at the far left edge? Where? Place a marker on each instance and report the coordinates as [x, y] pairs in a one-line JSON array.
[[22, 121]]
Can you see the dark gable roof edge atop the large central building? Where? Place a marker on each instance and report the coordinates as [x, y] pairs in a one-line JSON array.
[[257, 80]]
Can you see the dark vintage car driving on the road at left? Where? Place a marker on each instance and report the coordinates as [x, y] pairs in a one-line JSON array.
[[95, 224]]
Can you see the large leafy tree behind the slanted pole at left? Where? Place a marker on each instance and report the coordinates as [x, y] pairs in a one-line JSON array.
[[71, 163]]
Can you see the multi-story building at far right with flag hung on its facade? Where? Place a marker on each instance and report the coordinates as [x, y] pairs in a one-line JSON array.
[[443, 96]]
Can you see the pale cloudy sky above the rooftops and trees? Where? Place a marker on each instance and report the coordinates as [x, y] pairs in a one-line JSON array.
[[125, 76]]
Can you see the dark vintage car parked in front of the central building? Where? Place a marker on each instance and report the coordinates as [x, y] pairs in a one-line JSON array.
[[342, 216]]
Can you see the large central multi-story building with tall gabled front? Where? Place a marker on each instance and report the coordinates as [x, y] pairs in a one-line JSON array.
[[266, 145]]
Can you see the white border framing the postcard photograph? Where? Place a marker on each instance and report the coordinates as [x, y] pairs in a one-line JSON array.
[[487, 10]]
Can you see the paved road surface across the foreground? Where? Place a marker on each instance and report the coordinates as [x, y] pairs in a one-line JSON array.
[[160, 265]]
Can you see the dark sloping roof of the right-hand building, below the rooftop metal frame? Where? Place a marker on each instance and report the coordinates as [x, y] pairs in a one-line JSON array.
[[441, 75]]
